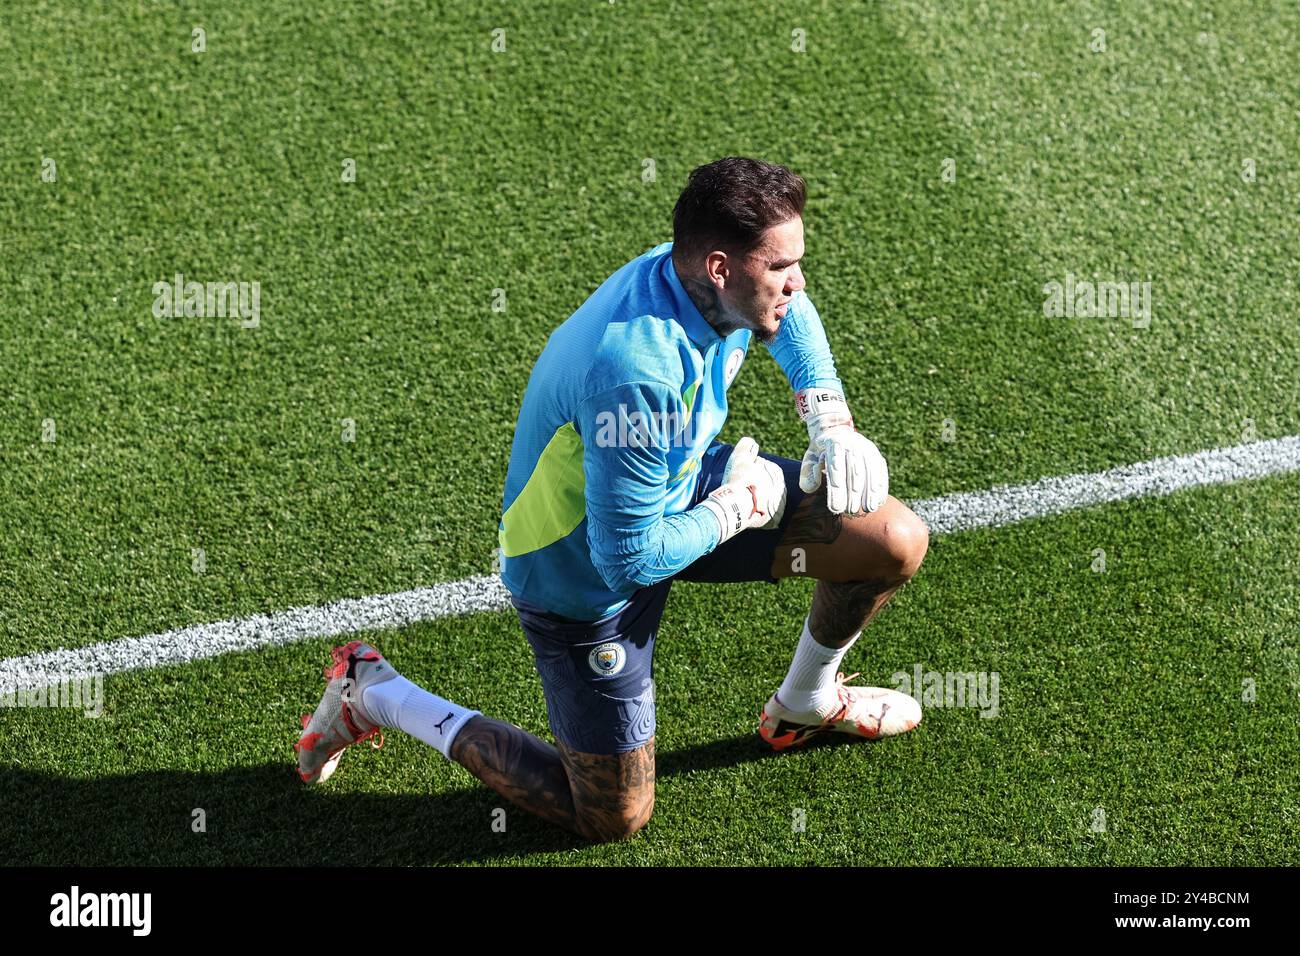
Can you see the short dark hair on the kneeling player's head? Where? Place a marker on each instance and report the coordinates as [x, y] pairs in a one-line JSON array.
[[730, 204]]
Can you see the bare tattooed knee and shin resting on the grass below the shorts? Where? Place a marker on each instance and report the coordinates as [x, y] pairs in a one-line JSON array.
[[596, 797]]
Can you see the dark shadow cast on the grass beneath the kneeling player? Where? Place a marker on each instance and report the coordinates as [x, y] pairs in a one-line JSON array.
[[266, 816]]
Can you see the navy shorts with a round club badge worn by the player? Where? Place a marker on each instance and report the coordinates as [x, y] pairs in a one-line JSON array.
[[599, 676]]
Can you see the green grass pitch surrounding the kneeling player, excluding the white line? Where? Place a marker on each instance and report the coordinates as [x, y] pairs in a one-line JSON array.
[[960, 157]]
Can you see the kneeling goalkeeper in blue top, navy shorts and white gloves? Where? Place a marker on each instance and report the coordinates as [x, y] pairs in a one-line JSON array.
[[618, 487]]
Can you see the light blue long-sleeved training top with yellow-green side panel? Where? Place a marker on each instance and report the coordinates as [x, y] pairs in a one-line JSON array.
[[622, 405]]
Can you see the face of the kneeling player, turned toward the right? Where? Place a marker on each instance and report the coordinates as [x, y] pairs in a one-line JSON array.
[[759, 287]]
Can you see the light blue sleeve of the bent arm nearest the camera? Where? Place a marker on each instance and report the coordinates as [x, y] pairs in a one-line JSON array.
[[627, 432]]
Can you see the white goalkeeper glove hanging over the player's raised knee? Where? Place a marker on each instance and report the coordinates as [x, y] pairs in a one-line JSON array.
[[857, 478]]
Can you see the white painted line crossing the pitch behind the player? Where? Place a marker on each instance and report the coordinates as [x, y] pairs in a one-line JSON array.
[[961, 512]]
